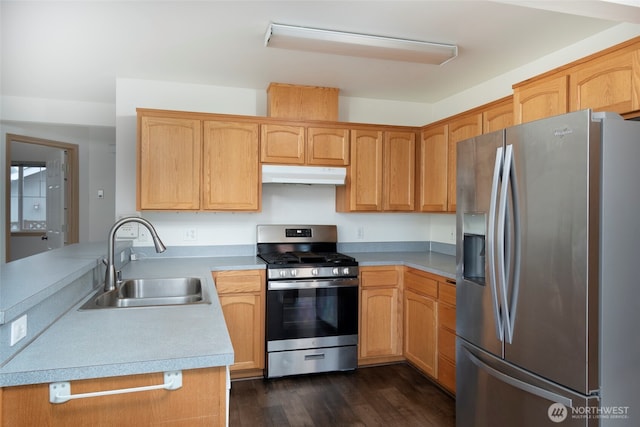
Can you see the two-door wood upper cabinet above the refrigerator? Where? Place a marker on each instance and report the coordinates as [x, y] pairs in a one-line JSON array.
[[606, 81]]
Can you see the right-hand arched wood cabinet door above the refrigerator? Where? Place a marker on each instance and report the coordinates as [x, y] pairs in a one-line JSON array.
[[607, 83]]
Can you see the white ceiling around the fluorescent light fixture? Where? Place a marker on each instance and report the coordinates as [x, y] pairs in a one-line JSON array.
[[76, 50]]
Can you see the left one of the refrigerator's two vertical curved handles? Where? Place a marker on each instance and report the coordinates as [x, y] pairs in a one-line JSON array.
[[491, 244]]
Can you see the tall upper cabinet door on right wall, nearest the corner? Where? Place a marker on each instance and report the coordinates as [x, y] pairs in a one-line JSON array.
[[432, 169]]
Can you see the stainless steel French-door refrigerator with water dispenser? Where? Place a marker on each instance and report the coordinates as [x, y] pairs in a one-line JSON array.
[[548, 274]]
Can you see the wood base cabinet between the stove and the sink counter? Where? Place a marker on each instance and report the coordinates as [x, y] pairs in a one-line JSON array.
[[242, 297]]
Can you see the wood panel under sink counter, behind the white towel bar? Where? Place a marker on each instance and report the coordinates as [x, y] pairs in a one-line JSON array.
[[201, 401]]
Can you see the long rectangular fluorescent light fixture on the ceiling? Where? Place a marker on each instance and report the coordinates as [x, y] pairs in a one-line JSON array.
[[353, 44]]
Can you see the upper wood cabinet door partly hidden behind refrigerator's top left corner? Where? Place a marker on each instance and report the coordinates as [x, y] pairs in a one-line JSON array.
[[461, 128]]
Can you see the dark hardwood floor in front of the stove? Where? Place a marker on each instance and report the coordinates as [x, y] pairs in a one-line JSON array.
[[391, 395]]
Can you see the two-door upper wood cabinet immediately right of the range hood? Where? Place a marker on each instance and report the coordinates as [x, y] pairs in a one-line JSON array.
[[381, 175]]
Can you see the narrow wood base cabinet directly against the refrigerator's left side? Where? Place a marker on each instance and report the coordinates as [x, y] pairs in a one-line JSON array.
[[447, 335]]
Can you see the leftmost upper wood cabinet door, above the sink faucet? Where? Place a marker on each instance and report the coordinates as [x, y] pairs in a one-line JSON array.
[[169, 163]]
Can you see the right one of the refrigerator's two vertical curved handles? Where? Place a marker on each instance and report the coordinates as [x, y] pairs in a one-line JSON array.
[[502, 265]]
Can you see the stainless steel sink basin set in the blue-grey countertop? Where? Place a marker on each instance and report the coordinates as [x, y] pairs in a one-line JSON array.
[[150, 292]]
